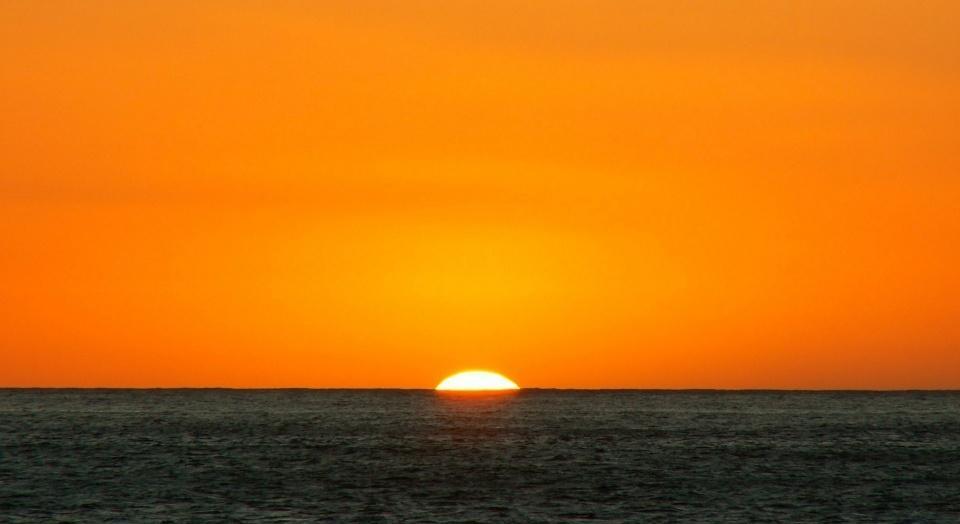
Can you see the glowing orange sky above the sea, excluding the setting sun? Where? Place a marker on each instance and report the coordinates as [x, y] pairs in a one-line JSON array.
[[377, 193]]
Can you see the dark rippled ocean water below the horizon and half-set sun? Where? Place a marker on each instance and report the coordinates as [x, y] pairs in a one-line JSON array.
[[533, 456]]
